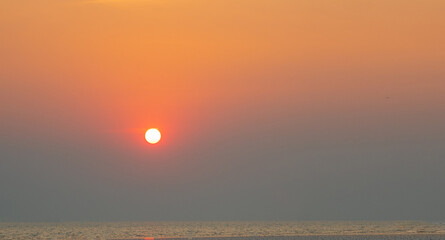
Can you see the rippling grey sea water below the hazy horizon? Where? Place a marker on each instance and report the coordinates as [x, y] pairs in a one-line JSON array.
[[227, 230]]
